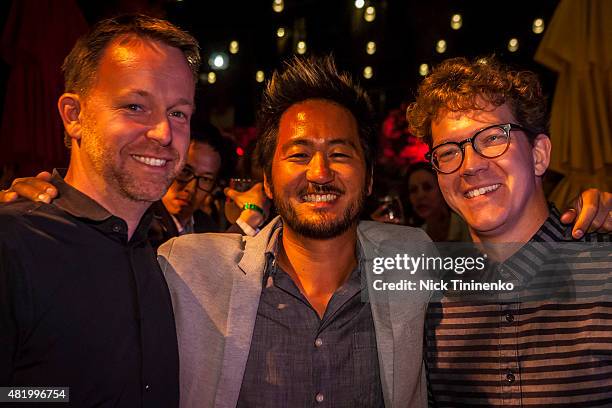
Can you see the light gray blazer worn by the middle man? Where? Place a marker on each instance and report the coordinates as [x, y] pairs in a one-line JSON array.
[[215, 281]]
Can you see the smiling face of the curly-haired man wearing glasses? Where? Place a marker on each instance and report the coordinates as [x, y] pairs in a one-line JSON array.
[[494, 196]]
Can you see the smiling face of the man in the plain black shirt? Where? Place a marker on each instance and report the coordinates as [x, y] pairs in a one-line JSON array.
[[135, 118]]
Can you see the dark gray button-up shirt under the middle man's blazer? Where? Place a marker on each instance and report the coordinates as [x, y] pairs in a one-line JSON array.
[[298, 359]]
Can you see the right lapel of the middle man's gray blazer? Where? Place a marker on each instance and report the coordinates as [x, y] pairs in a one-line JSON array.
[[381, 313]]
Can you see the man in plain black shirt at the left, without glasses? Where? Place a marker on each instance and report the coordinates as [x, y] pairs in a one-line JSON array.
[[83, 302]]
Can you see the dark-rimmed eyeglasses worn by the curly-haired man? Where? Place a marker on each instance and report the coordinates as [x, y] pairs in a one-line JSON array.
[[490, 142]]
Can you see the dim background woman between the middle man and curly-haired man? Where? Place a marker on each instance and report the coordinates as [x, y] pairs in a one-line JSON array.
[[425, 197]]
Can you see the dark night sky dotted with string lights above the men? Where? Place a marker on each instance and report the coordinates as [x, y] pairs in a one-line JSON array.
[[405, 32]]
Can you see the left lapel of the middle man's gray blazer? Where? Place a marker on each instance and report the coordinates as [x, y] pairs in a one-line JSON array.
[[244, 302]]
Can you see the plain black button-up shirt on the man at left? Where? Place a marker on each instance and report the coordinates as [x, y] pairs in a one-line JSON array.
[[83, 307]]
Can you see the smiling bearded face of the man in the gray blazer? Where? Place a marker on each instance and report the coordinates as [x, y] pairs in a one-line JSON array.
[[318, 181]]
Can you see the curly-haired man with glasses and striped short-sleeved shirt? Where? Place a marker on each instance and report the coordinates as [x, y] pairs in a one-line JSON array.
[[487, 129]]
